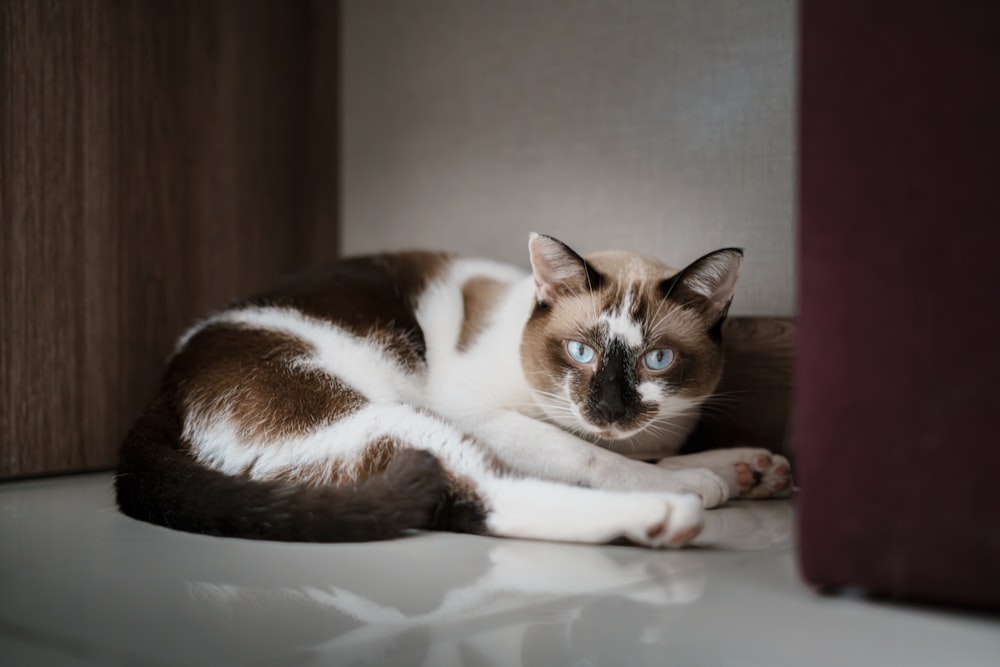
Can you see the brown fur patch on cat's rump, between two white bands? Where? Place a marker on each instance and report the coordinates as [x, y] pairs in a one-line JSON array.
[[258, 380]]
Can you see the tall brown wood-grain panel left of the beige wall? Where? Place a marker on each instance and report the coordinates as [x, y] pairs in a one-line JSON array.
[[156, 160]]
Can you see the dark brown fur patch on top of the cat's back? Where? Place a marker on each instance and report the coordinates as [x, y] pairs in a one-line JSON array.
[[371, 297]]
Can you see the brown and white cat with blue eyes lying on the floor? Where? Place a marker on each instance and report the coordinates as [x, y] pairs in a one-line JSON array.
[[381, 394]]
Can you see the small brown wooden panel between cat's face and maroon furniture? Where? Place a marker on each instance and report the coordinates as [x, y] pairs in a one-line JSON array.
[[754, 400]]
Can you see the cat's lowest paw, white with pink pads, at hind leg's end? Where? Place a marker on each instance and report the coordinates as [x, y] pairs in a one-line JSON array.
[[667, 520]]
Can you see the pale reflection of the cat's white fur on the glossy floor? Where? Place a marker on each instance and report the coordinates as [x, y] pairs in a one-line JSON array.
[[527, 589]]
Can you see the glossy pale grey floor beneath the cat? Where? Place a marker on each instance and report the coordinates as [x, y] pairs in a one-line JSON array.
[[82, 585]]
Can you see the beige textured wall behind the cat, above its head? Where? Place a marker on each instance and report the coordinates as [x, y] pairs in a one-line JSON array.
[[660, 125]]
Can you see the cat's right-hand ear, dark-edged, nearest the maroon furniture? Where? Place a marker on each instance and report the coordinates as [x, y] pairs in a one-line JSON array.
[[707, 284]]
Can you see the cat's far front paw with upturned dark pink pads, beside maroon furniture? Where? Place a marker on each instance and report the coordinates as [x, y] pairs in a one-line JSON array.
[[750, 472]]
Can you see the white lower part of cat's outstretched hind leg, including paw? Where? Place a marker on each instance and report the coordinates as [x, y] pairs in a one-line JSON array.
[[541, 510]]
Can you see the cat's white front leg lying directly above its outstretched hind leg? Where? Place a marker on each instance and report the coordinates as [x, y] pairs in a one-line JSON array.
[[537, 449]]
